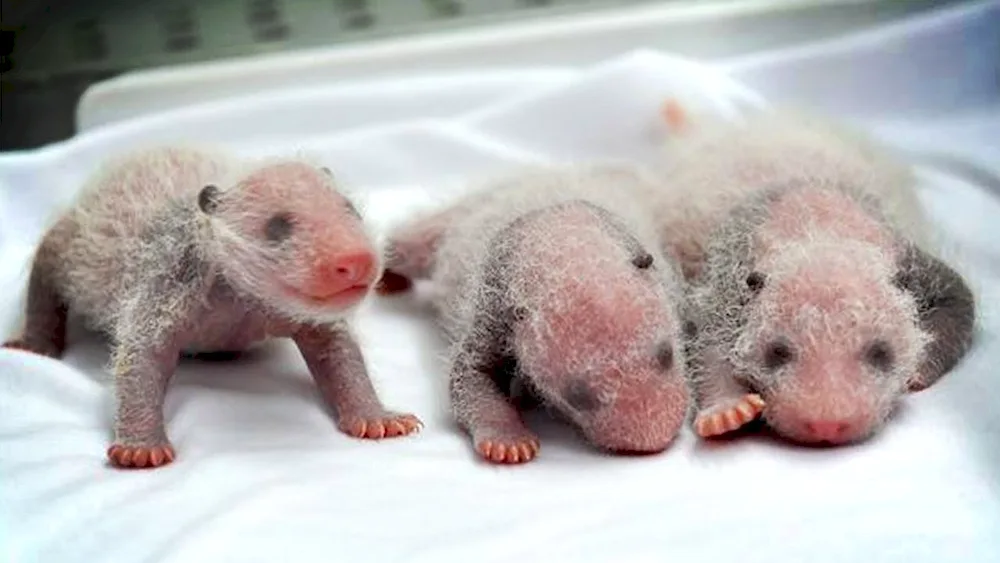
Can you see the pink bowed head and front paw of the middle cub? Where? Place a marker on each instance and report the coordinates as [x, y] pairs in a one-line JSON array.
[[598, 341]]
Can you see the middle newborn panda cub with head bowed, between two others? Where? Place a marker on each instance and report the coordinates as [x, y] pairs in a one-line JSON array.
[[551, 288]]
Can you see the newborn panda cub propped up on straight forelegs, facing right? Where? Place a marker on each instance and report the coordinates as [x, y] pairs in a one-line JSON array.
[[173, 252]]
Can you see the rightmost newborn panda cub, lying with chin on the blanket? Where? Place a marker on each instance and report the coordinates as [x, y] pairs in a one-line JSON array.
[[818, 302]]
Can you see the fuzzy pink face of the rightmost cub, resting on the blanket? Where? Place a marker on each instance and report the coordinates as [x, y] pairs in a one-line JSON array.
[[829, 392]]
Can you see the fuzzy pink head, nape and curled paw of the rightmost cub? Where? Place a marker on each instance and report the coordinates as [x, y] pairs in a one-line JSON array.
[[828, 296]]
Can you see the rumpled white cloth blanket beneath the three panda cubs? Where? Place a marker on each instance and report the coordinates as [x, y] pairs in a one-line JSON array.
[[263, 474]]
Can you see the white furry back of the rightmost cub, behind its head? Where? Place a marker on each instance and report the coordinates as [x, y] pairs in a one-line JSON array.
[[713, 166]]
